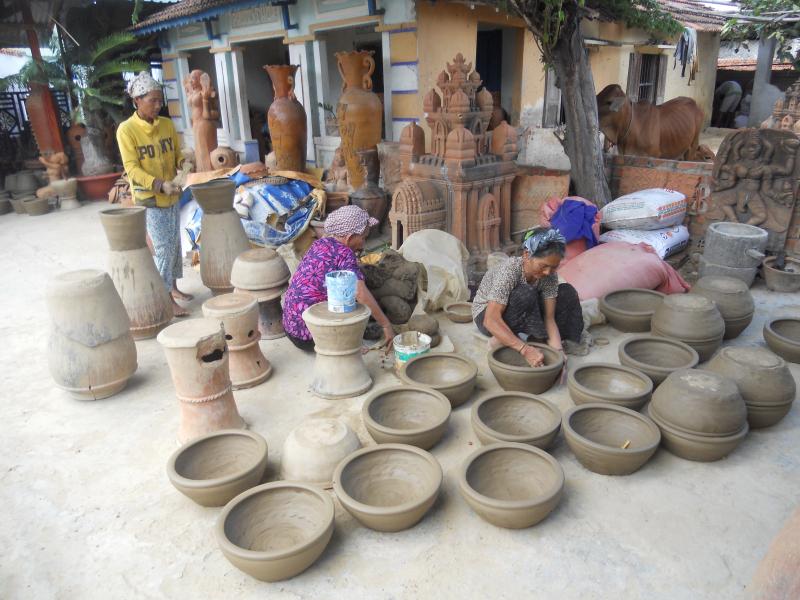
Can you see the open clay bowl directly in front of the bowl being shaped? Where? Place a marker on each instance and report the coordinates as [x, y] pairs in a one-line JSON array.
[[516, 417]]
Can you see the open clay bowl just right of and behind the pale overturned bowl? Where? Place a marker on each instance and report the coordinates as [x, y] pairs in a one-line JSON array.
[[406, 414]]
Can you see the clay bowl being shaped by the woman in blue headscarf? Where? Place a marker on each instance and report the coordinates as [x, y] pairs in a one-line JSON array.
[[514, 374]]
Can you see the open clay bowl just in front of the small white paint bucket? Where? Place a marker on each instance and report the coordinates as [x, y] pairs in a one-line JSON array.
[[447, 372]]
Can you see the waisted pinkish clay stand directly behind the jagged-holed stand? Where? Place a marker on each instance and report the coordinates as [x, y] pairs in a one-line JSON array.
[[238, 314]]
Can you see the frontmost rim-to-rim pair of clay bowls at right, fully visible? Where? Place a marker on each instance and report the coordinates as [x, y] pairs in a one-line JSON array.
[[701, 415]]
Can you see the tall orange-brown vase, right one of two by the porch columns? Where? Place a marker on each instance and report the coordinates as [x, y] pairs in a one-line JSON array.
[[359, 112]]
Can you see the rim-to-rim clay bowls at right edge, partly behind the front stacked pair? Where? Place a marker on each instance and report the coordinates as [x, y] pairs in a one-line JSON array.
[[763, 379]]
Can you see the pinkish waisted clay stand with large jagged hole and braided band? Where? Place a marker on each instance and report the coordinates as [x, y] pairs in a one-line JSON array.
[[198, 362]]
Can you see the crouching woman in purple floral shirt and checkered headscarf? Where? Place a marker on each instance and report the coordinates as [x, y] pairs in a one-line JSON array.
[[346, 229]]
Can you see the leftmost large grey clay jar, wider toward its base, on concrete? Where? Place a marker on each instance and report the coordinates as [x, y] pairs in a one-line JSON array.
[[91, 353]]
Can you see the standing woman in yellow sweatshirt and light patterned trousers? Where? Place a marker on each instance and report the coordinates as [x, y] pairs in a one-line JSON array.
[[150, 153]]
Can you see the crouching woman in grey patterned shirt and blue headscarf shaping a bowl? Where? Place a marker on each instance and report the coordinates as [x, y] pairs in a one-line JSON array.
[[521, 300]]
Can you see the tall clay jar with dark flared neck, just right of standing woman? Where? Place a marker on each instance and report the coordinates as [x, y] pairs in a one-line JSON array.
[[222, 234]]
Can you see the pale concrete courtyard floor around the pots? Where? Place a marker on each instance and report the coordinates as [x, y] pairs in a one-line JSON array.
[[88, 511]]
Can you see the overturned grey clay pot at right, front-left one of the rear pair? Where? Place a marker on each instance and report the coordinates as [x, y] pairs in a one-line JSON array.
[[693, 319]]
